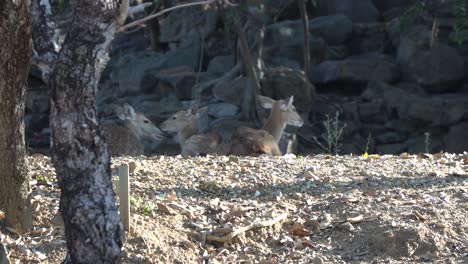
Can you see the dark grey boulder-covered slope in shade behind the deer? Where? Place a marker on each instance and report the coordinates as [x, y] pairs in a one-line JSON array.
[[395, 72]]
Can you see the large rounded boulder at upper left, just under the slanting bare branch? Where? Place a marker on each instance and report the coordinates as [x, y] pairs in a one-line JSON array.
[[188, 23]]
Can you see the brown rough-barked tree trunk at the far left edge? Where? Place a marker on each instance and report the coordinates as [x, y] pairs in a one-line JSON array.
[[15, 54]]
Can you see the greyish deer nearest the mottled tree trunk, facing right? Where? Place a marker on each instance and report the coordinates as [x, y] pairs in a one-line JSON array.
[[133, 133]]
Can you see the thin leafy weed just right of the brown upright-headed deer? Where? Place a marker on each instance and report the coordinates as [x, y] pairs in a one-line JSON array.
[[332, 134]]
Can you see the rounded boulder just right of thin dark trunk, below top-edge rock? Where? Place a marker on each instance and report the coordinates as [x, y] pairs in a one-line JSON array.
[[334, 29]]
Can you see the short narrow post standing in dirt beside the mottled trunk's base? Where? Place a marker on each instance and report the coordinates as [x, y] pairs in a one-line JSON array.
[[124, 196]]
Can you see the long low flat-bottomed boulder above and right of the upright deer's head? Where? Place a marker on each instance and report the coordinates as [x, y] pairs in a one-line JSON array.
[[361, 68]]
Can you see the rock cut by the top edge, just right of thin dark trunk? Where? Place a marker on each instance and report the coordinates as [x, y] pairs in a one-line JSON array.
[[357, 10]]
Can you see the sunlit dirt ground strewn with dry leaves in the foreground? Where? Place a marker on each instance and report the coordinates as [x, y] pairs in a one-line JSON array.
[[290, 209]]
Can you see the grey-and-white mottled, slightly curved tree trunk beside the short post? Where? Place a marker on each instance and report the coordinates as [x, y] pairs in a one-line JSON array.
[[92, 225]]
